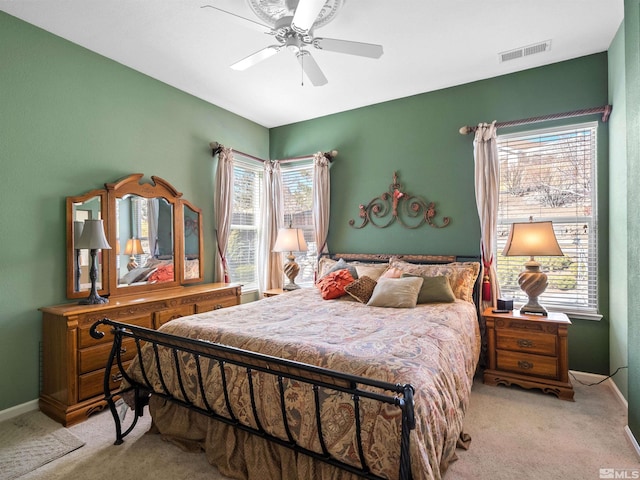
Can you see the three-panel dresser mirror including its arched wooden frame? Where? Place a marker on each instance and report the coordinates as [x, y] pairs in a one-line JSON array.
[[155, 238]]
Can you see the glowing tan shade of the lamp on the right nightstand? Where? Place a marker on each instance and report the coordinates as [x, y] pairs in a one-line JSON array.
[[532, 239]]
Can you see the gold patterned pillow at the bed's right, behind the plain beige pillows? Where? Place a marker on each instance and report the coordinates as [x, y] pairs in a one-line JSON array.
[[462, 275]]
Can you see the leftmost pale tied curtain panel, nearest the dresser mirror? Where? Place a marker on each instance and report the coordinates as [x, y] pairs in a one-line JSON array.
[[223, 204]]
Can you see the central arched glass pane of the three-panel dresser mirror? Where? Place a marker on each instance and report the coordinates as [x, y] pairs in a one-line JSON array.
[[145, 243]]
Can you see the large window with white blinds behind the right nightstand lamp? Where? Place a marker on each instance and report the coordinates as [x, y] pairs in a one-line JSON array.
[[551, 175]]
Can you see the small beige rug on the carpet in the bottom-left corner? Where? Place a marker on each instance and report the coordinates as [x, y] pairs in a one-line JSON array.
[[30, 441]]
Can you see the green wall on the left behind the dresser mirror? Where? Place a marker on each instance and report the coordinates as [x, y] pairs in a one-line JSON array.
[[71, 120]]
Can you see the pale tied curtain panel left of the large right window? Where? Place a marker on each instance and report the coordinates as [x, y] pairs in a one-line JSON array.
[[487, 183]]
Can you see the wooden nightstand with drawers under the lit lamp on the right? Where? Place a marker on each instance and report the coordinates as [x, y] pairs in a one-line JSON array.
[[529, 351]]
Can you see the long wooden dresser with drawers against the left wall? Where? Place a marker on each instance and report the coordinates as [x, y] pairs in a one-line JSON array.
[[73, 362]]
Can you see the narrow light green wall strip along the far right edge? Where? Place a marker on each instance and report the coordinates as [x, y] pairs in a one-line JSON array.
[[632, 104]]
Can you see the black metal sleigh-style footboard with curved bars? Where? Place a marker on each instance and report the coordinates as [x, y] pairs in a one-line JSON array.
[[357, 388]]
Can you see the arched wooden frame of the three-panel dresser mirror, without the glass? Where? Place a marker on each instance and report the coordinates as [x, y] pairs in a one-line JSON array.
[[133, 185]]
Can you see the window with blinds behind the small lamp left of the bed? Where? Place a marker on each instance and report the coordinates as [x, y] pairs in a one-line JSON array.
[[297, 185]]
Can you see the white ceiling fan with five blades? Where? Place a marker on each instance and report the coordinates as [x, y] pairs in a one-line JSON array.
[[292, 24]]
